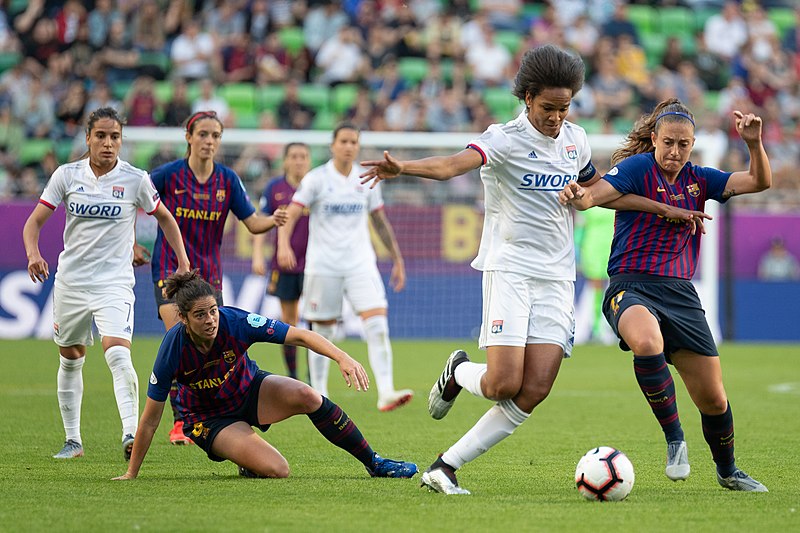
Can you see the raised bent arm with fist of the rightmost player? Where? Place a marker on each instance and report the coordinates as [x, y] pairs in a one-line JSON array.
[[759, 176]]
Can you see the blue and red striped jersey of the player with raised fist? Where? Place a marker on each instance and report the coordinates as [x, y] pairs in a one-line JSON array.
[[645, 243]]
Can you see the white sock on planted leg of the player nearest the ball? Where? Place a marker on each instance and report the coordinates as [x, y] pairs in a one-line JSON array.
[[498, 423]]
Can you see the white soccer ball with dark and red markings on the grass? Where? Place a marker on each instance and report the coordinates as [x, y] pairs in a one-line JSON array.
[[604, 474]]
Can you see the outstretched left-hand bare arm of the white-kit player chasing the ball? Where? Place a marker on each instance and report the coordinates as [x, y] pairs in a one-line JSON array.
[[439, 168]]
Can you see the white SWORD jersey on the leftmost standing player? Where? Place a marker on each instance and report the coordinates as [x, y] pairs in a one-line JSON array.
[[101, 213]]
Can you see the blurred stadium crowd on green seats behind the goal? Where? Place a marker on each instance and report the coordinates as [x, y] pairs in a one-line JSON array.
[[385, 65]]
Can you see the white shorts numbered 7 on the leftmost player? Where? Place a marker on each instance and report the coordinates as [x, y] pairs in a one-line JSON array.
[[73, 311]]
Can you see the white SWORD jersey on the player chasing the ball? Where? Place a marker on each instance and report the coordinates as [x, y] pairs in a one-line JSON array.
[[525, 229]]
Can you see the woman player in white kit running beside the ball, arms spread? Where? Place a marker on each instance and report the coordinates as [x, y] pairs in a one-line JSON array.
[[526, 254]]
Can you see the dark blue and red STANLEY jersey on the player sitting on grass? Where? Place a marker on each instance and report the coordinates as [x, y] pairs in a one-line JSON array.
[[216, 383]]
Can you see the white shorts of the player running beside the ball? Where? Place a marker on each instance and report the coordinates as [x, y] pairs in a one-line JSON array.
[[519, 310]]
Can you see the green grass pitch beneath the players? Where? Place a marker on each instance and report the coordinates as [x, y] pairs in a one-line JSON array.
[[523, 484]]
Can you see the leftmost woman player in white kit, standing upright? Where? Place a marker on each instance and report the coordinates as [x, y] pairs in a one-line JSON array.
[[94, 279]]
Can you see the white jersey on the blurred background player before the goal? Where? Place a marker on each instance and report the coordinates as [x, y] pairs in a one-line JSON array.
[[338, 225]]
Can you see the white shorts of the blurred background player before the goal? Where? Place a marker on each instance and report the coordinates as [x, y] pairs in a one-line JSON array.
[[322, 295]]
